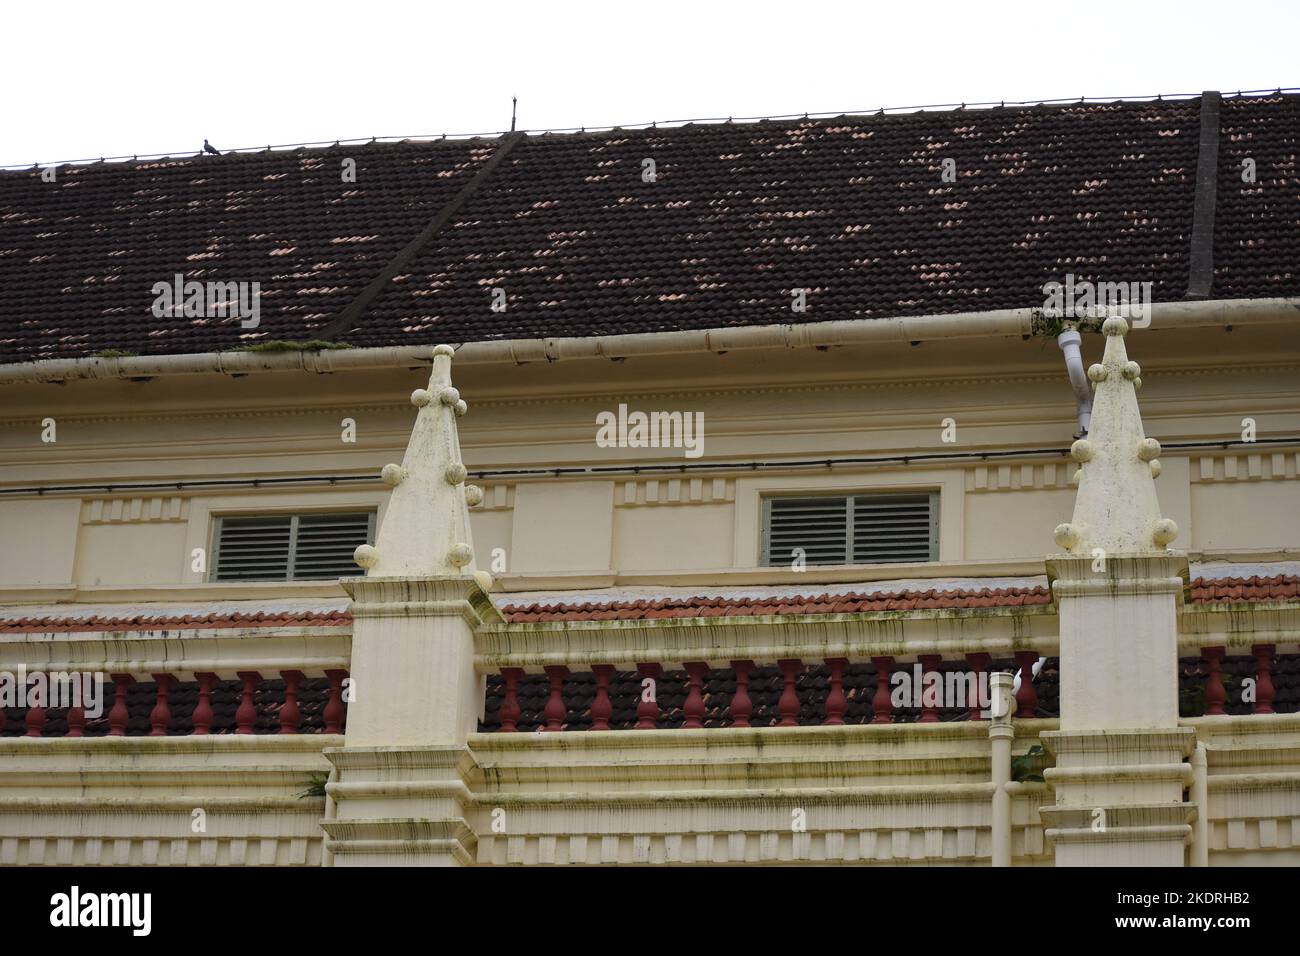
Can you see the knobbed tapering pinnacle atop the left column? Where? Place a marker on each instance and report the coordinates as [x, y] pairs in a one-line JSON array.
[[426, 530]]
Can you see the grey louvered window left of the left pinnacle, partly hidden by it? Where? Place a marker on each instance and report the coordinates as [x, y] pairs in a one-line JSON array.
[[289, 548]]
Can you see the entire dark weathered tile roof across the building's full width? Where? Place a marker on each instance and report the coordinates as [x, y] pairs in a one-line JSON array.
[[853, 209]]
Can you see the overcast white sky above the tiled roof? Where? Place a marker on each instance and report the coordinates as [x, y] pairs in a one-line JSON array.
[[107, 79]]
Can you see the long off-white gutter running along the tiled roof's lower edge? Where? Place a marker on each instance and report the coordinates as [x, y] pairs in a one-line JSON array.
[[1015, 322]]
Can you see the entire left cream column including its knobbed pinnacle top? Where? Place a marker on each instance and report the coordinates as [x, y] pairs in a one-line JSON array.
[[404, 775]]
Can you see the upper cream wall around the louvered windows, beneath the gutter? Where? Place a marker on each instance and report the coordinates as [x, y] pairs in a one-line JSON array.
[[759, 406]]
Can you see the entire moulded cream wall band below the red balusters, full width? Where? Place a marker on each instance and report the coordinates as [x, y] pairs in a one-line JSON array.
[[896, 795]]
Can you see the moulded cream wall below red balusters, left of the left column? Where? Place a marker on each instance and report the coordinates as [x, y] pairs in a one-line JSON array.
[[170, 802]]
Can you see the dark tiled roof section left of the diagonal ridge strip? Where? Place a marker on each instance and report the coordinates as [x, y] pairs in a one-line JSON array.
[[79, 257]]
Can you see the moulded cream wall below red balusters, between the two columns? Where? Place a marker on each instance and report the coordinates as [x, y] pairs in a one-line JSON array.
[[866, 795]]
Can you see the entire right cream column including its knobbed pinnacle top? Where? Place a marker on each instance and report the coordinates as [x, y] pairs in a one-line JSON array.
[[1120, 772]]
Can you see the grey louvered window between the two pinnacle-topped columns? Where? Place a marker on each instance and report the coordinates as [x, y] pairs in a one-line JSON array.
[[852, 530]]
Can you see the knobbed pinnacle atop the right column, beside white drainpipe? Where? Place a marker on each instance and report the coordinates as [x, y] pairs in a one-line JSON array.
[[1116, 508]]
